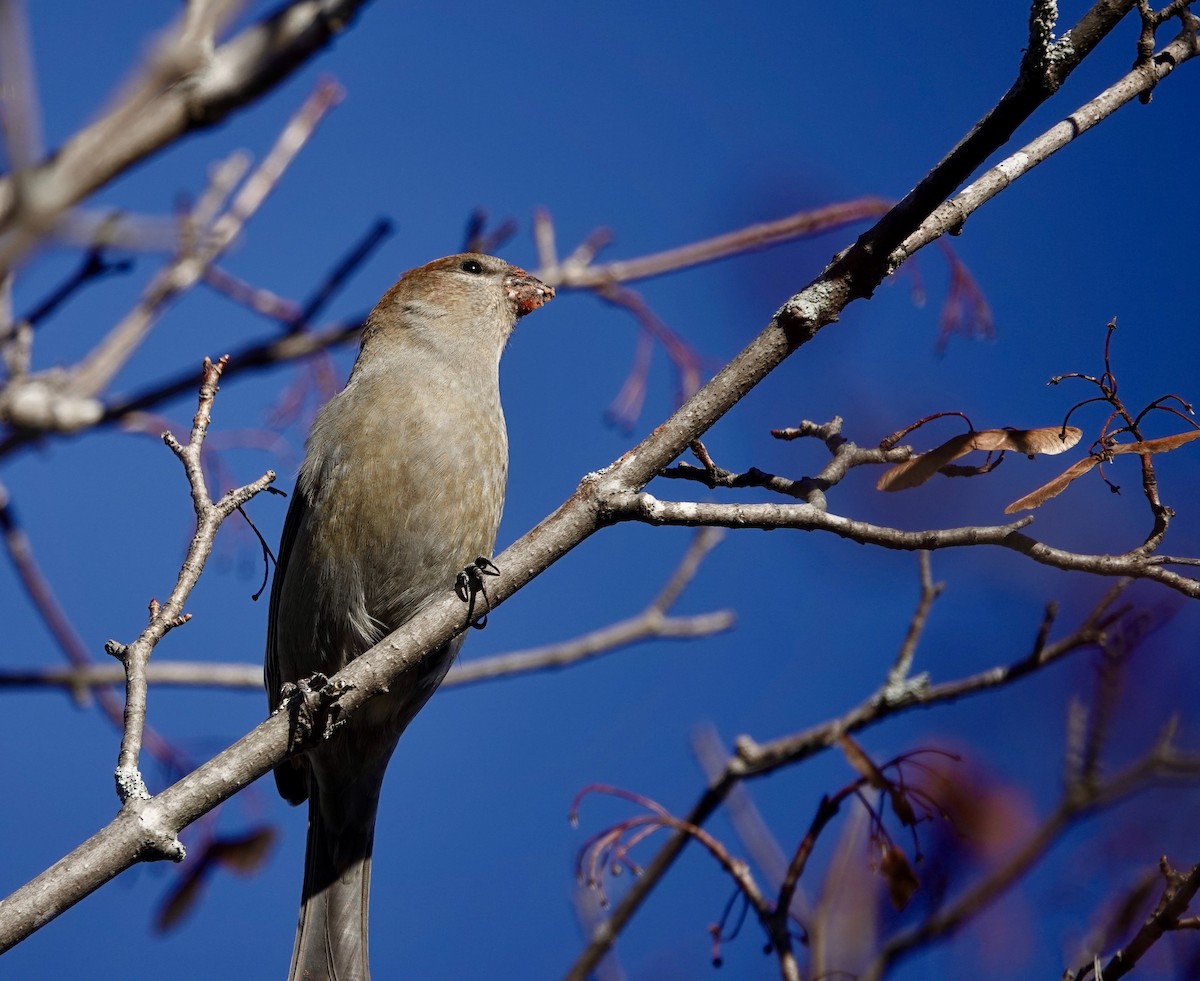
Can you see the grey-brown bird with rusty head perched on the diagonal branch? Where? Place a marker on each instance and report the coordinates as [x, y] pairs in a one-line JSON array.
[[401, 488]]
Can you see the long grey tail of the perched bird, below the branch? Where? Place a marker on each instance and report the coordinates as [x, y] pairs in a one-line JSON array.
[[332, 937]]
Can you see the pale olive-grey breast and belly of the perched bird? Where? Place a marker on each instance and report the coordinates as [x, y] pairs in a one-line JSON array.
[[401, 499]]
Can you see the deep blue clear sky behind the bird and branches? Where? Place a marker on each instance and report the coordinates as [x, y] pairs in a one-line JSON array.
[[668, 124]]
